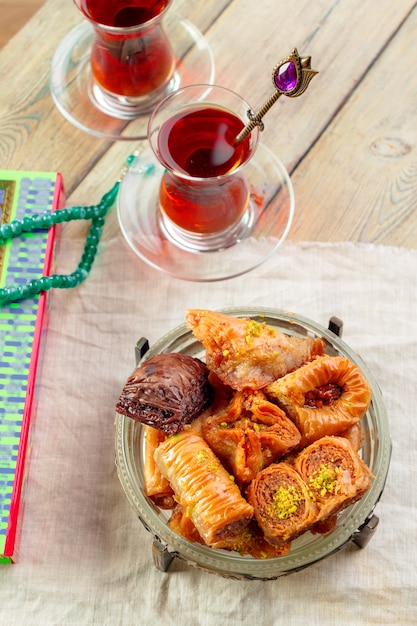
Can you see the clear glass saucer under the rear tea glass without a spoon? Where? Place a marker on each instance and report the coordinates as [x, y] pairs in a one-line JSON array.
[[74, 90]]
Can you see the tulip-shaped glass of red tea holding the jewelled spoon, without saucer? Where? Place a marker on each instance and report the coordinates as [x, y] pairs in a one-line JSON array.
[[203, 195]]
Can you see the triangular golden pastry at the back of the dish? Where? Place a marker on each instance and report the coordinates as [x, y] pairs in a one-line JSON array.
[[248, 353]]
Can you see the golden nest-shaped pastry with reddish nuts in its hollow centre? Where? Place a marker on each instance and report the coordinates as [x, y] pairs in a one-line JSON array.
[[293, 393]]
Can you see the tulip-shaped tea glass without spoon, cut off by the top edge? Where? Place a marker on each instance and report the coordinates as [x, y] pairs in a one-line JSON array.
[[132, 60]]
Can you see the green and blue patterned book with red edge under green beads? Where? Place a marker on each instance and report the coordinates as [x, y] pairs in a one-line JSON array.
[[22, 330]]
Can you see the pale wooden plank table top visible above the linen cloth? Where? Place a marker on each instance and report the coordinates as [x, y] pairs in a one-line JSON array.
[[349, 142]]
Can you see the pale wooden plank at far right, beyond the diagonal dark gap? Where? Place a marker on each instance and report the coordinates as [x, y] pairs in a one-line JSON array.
[[359, 182]]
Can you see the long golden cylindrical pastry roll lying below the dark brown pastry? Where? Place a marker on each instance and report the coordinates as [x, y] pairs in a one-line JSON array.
[[208, 493]]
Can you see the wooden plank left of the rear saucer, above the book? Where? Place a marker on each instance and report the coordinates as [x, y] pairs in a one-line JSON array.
[[33, 133]]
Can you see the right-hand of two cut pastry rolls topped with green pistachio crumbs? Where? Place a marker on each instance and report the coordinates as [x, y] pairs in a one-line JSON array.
[[334, 474]]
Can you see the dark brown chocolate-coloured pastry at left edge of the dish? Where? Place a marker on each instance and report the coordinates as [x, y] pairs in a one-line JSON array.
[[167, 391]]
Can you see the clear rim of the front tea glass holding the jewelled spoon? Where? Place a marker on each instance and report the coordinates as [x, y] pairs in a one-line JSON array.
[[183, 175]]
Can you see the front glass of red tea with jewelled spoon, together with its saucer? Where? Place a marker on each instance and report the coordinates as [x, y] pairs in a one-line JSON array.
[[200, 205]]
